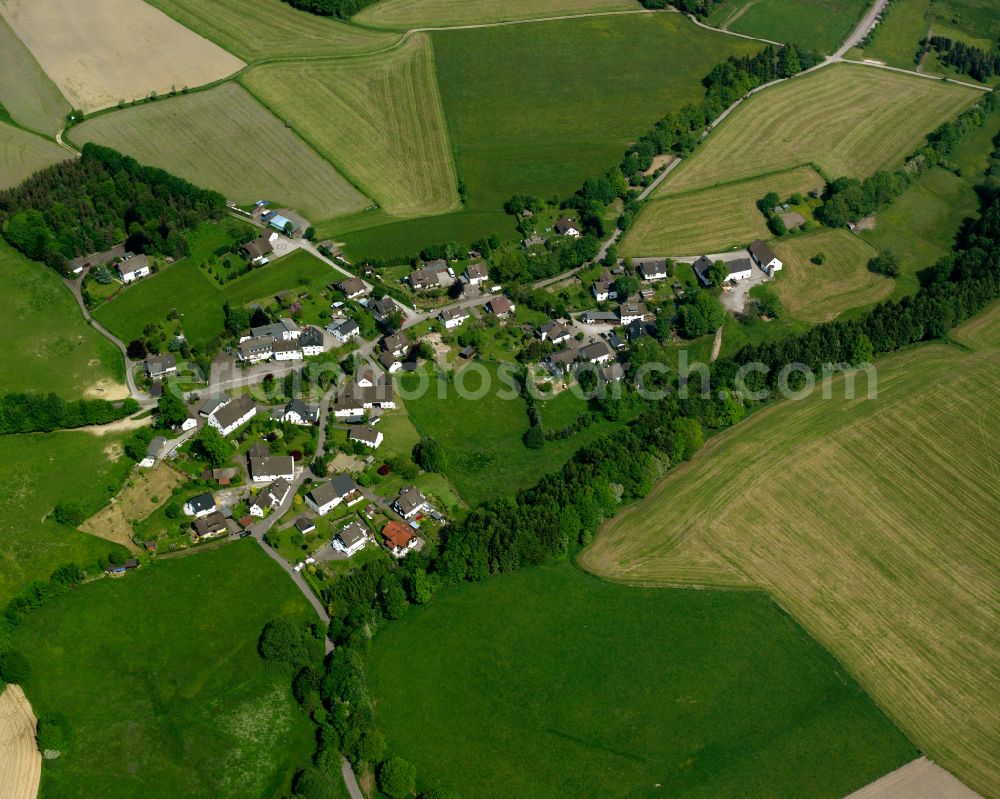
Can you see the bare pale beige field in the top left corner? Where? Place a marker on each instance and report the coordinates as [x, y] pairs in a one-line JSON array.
[[104, 51]]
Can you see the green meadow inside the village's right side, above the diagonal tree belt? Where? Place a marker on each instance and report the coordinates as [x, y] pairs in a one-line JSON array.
[[482, 437]]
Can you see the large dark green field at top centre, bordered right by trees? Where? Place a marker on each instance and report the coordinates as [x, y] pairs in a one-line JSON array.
[[585, 88]]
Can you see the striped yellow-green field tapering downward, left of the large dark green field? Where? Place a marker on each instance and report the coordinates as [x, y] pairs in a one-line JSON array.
[[378, 118]]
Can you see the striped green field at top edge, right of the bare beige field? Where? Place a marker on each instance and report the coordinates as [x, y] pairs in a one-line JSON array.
[[238, 26]]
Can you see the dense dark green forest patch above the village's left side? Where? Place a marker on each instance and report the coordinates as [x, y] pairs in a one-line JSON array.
[[99, 200]]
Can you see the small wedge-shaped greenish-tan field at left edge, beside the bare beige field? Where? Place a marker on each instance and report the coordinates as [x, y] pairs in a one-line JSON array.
[[26, 91]]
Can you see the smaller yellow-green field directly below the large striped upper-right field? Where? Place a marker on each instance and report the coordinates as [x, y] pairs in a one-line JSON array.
[[712, 220]]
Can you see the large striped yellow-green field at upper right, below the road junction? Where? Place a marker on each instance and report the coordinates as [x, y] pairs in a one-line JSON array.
[[848, 119]]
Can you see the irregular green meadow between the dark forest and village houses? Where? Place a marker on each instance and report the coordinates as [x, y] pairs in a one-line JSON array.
[[199, 299]]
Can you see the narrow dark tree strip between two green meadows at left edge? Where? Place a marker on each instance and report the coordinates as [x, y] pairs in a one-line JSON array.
[[32, 413]]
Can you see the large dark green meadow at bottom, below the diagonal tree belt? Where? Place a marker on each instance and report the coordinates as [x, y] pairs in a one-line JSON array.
[[549, 682]]
